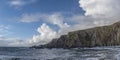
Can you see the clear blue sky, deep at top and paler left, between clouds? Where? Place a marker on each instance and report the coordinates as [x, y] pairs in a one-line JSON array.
[[12, 11]]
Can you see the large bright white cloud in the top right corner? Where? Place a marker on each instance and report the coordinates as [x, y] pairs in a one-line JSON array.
[[104, 8]]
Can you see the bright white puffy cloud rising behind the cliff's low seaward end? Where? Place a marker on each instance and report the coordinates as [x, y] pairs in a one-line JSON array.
[[46, 34]]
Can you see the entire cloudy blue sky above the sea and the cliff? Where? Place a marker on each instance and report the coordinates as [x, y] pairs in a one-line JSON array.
[[35, 22]]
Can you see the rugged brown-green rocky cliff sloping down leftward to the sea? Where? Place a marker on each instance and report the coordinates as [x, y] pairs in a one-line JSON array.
[[98, 36]]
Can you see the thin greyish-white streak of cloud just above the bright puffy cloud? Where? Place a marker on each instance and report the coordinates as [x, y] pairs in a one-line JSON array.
[[54, 18]]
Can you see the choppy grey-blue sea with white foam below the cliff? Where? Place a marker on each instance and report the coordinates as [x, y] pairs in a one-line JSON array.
[[97, 53]]
